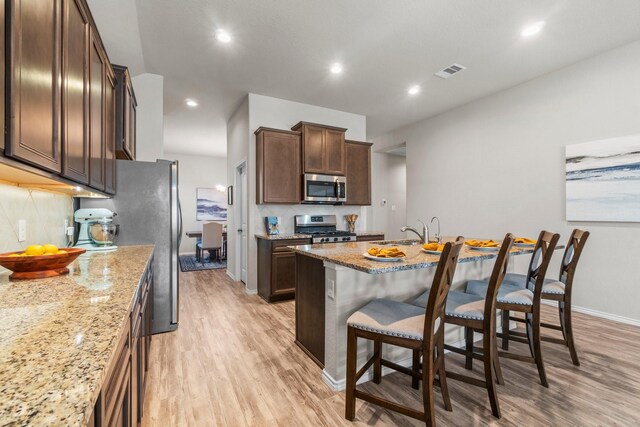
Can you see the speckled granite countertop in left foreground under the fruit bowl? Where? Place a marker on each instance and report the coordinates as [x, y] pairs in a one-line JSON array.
[[58, 336]]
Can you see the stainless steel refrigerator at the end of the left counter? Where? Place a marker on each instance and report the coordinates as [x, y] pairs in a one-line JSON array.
[[148, 211]]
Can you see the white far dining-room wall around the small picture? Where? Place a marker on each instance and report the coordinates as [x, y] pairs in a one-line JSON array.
[[195, 172]]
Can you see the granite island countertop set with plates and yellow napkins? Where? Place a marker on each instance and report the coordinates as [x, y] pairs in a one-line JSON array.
[[351, 255]]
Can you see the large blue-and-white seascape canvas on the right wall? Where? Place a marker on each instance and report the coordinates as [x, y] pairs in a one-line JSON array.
[[603, 180]]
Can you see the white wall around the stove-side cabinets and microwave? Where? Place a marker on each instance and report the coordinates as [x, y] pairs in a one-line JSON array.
[[282, 114]]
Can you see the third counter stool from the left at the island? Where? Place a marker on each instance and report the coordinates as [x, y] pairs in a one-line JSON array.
[[526, 300]]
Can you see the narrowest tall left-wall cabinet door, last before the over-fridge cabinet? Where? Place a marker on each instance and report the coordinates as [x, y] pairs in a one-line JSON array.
[[110, 132]]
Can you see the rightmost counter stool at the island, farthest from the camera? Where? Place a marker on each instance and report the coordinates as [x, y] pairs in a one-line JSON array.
[[560, 291]]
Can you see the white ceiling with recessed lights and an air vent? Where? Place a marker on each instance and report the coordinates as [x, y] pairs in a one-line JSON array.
[[284, 49]]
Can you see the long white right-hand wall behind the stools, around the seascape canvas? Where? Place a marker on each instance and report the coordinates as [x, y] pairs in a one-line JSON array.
[[497, 165]]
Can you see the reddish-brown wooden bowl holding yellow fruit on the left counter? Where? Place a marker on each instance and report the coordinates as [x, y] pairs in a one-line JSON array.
[[38, 267]]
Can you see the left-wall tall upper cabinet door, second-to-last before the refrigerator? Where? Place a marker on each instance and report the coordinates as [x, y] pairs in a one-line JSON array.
[[97, 67]]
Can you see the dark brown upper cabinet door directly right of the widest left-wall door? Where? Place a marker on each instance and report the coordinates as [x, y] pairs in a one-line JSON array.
[[75, 92]]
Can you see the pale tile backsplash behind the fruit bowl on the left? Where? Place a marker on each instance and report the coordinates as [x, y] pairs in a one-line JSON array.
[[43, 212]]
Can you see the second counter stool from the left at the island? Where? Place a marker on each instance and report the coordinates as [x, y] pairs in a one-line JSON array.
[[478, 314]]
